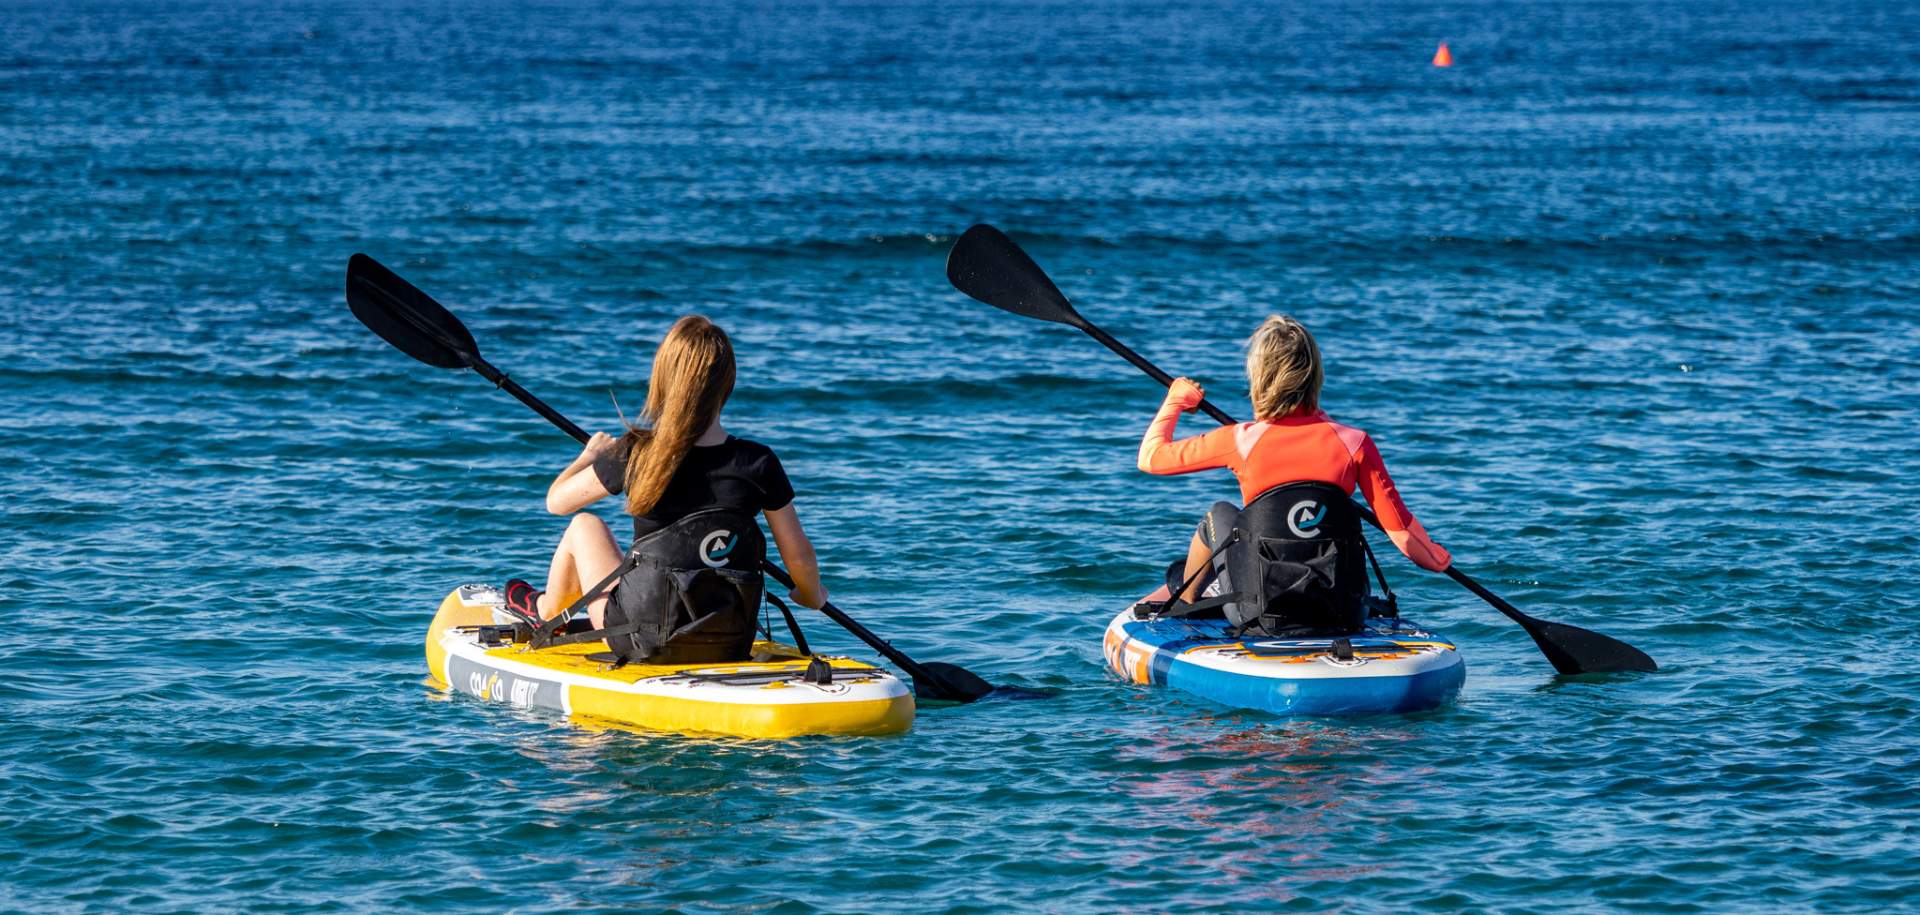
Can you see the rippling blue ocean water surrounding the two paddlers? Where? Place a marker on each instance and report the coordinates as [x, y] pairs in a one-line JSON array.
[[1627, 298]]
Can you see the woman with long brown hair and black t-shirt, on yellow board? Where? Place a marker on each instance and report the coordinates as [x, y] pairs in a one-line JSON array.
[[681, 461]]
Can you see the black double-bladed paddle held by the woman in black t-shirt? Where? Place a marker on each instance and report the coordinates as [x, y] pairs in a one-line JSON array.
[[427, 331]]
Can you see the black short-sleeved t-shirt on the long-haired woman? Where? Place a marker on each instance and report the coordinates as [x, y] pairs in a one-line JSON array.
[[732, 475]]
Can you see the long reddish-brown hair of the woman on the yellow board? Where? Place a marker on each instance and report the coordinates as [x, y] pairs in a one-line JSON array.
[[692, 381]]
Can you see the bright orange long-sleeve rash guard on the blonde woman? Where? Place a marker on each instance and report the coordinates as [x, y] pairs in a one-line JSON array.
[[1303, 446]]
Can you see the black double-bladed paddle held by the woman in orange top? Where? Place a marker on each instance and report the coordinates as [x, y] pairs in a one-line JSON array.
[[990, 268]]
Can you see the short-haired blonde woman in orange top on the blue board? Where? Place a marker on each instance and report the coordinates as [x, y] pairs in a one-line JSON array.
[[1289, 442]]
